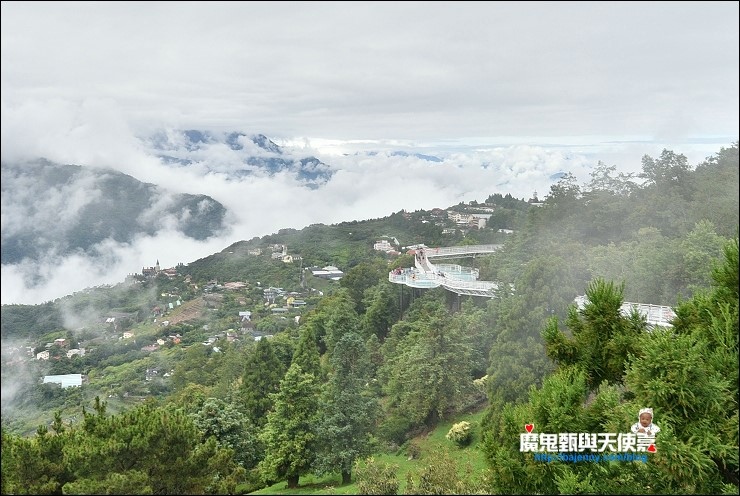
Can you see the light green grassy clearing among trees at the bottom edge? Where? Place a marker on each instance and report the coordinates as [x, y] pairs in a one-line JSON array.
[[428, 443]]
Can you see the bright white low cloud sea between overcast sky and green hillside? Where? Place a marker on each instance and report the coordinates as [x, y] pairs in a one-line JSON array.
[[365, 179]]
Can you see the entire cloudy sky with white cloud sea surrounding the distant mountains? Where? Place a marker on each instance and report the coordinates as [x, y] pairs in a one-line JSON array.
[[527, 89]]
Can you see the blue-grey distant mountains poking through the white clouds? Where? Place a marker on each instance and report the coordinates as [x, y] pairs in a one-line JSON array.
[[55, 210]]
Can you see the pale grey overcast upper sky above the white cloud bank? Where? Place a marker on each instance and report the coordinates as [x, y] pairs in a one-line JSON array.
[[350, 70]]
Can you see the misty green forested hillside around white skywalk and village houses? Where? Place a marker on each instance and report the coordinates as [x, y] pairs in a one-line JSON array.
[[365, 365]]
